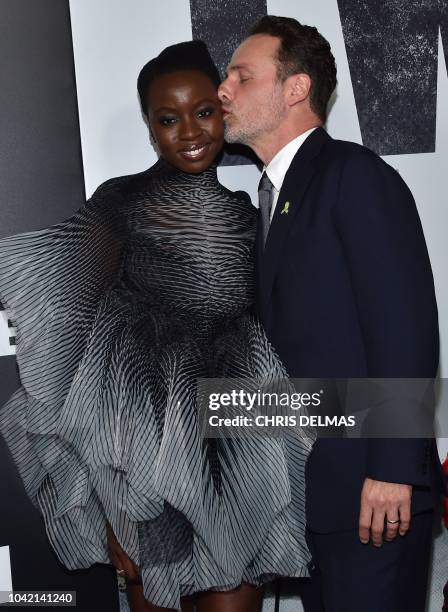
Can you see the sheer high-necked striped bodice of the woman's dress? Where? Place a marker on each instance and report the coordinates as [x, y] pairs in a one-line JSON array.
[[189, 243]]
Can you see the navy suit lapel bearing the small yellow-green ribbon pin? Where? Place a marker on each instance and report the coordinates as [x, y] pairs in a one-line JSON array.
[[295, 184]]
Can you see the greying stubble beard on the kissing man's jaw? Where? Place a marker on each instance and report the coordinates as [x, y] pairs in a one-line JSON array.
[[248, 130]]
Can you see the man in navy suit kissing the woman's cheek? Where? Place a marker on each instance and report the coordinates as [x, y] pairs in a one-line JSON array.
[[344, 290]]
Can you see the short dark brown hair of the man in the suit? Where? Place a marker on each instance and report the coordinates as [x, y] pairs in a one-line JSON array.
[[302, 49]]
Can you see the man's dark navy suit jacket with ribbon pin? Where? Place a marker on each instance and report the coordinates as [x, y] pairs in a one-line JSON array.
[[345, 289]]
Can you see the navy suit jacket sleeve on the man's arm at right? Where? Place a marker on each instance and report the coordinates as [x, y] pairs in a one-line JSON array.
[[384, 247]]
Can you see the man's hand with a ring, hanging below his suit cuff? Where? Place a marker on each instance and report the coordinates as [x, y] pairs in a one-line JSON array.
[[380, 502]]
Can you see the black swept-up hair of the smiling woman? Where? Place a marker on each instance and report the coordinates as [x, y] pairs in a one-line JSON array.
[[190, 55]]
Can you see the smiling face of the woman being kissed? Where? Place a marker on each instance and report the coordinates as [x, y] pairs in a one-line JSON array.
[[185, 119]]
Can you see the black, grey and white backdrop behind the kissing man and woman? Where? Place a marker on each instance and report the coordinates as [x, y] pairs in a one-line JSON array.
[[69, 119]]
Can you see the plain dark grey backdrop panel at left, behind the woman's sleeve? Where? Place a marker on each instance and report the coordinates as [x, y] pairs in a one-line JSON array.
[[41, 182]]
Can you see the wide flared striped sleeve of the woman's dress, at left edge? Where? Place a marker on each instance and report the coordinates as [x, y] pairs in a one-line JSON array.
[[51, 282]]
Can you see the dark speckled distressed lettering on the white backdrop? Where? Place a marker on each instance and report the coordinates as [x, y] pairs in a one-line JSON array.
[[392, 50]]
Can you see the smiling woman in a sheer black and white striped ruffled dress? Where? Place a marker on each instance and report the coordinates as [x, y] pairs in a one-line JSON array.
[[119, 311]]
